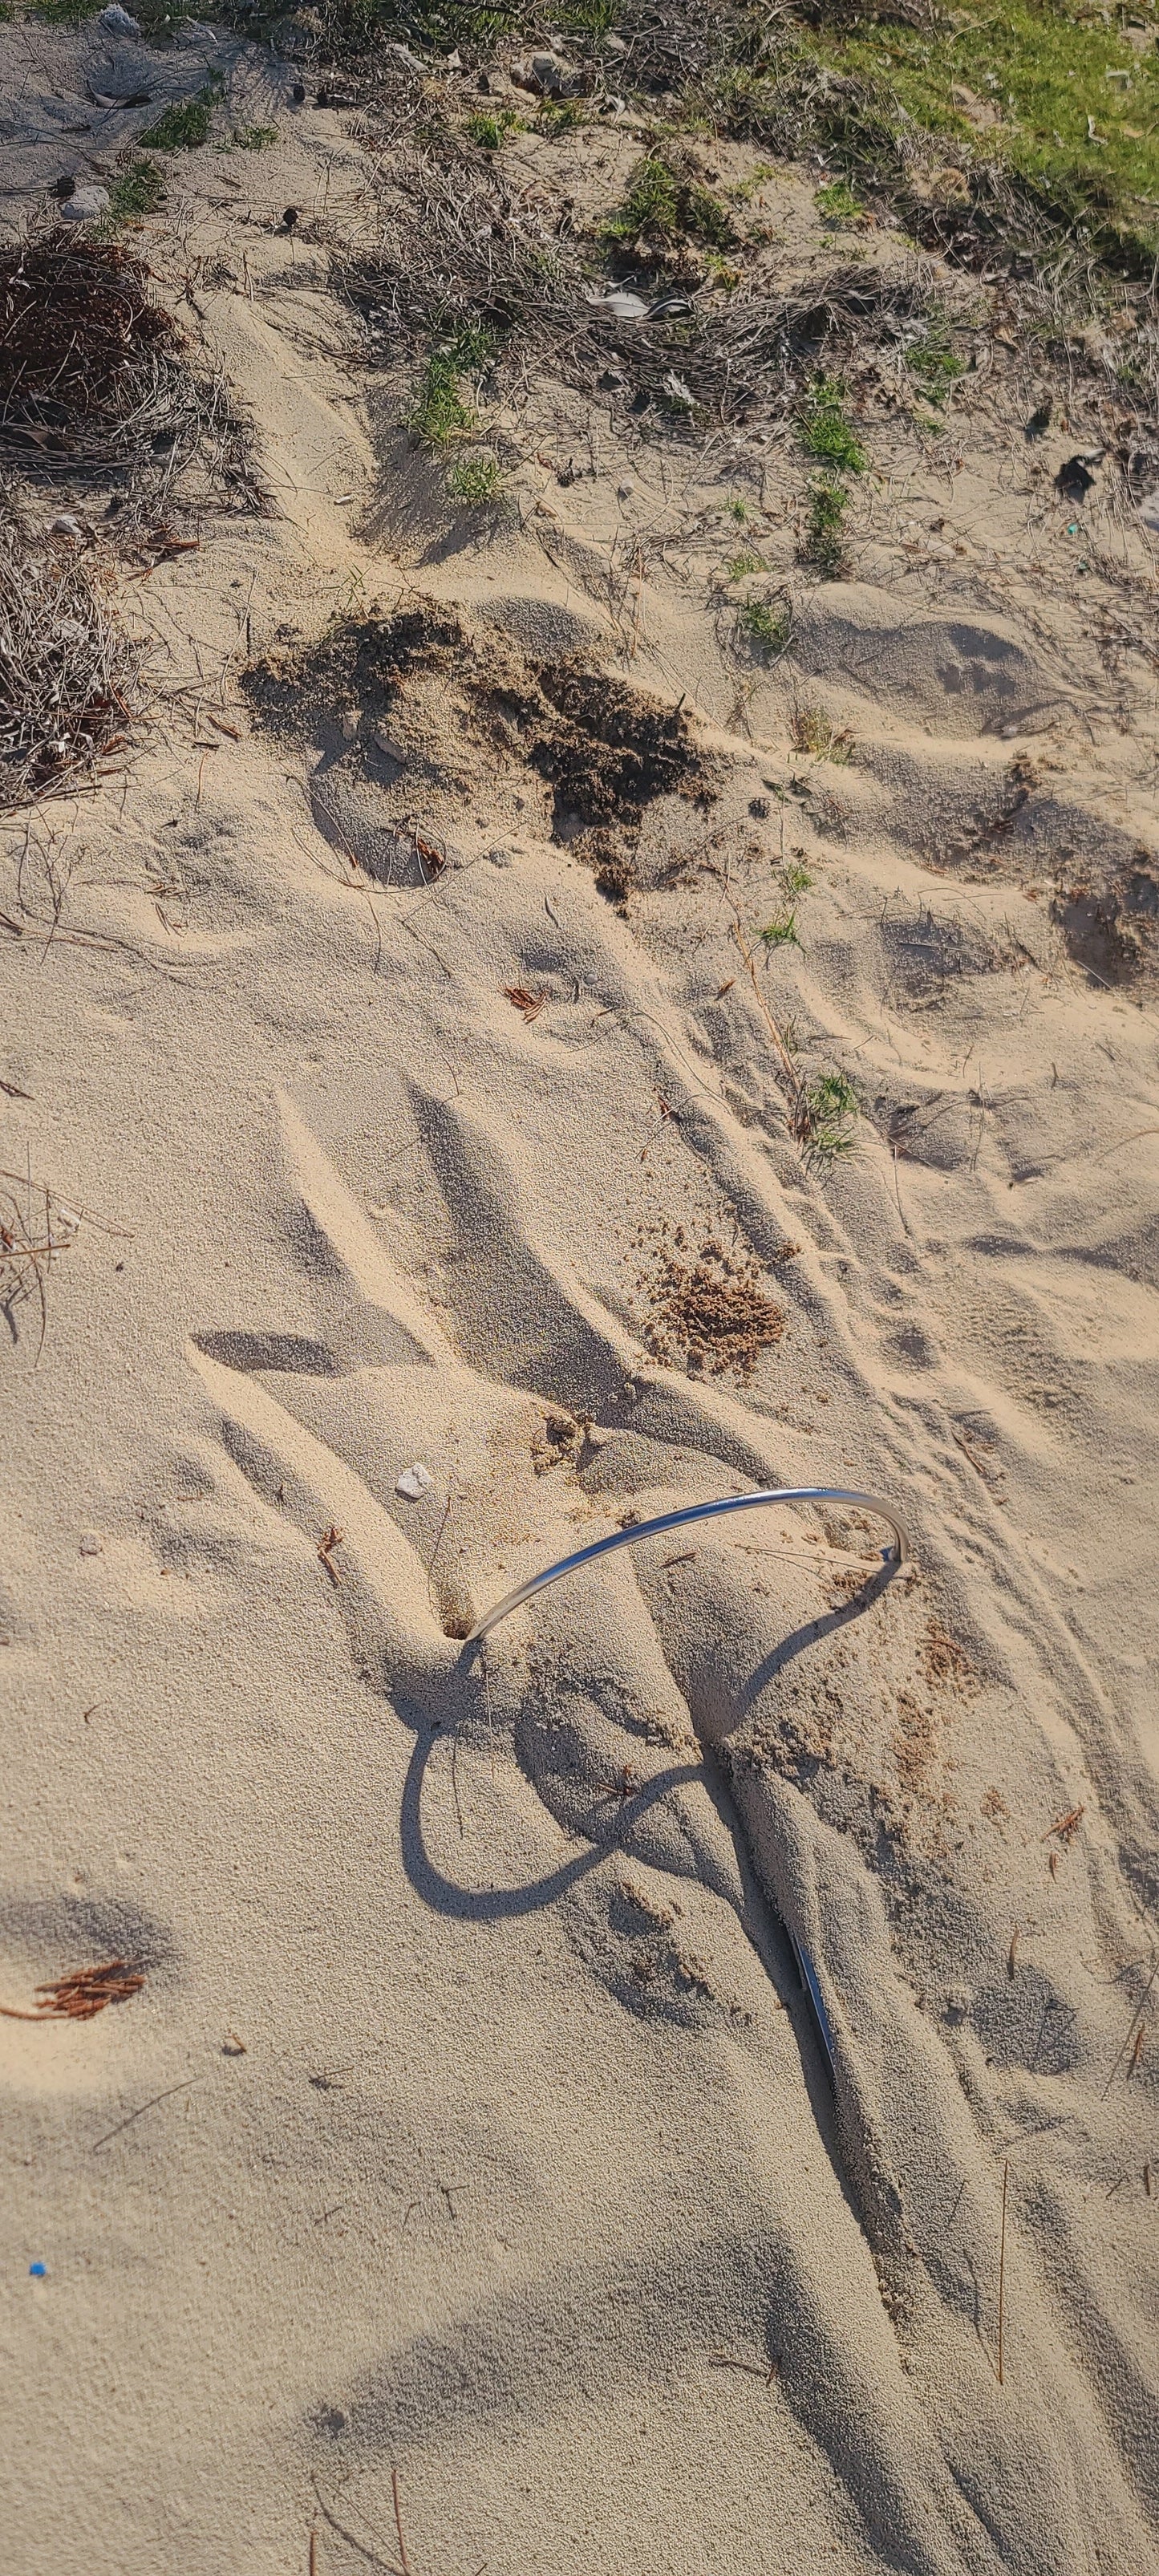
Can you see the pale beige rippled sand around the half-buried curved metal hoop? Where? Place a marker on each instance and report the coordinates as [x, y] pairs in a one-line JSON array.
[[470, 2129]]
